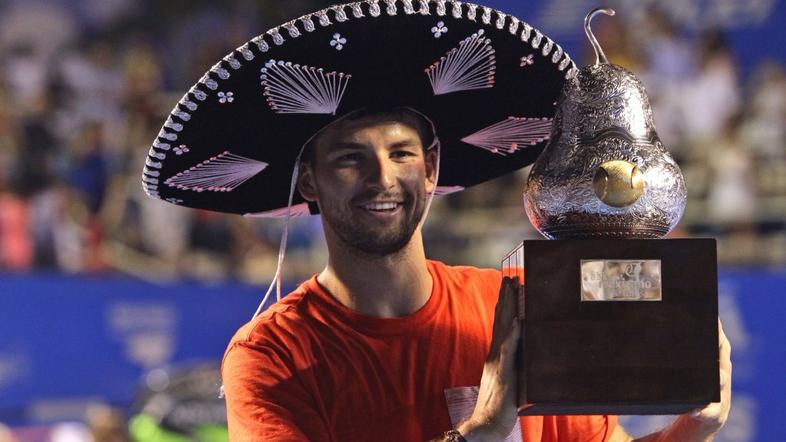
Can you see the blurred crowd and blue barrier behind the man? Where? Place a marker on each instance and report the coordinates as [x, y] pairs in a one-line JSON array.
[[115, 308]]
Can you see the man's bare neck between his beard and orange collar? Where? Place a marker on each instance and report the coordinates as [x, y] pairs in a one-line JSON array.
[[387, 286]]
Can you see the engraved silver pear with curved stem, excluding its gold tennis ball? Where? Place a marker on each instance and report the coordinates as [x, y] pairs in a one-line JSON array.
[[603, 115]]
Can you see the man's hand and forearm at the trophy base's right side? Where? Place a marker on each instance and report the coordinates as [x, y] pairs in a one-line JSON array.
[[700, 425]]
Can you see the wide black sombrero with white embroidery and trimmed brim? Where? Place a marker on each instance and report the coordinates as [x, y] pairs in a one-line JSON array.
[[486, 80]]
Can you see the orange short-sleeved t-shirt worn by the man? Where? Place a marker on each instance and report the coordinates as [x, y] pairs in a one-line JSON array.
[[309, 368]]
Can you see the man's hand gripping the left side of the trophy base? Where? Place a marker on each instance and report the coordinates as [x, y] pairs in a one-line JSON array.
[[496, 410]]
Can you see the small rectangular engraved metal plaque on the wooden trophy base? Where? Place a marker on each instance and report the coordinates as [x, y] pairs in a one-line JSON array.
[[620, 280]]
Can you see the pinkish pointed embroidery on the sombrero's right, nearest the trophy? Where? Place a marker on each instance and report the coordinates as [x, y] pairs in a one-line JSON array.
[[510, 135]]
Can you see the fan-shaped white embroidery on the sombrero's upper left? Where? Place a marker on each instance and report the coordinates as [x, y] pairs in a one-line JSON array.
[[292, 88]]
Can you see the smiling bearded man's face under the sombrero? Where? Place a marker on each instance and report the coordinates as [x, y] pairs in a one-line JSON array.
[[371, 180]]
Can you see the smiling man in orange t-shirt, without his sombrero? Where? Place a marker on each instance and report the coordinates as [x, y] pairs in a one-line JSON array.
[[338, 359]]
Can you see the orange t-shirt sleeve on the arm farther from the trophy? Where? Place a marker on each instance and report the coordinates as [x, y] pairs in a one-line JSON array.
[[265, 400]]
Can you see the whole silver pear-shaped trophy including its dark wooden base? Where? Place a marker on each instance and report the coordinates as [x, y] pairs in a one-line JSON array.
[[616, 320]]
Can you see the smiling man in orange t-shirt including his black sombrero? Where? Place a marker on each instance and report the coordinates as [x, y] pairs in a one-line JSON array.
[[382, 344]]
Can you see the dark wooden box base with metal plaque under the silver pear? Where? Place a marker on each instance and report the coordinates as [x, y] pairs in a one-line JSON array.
[[617, 326]]
